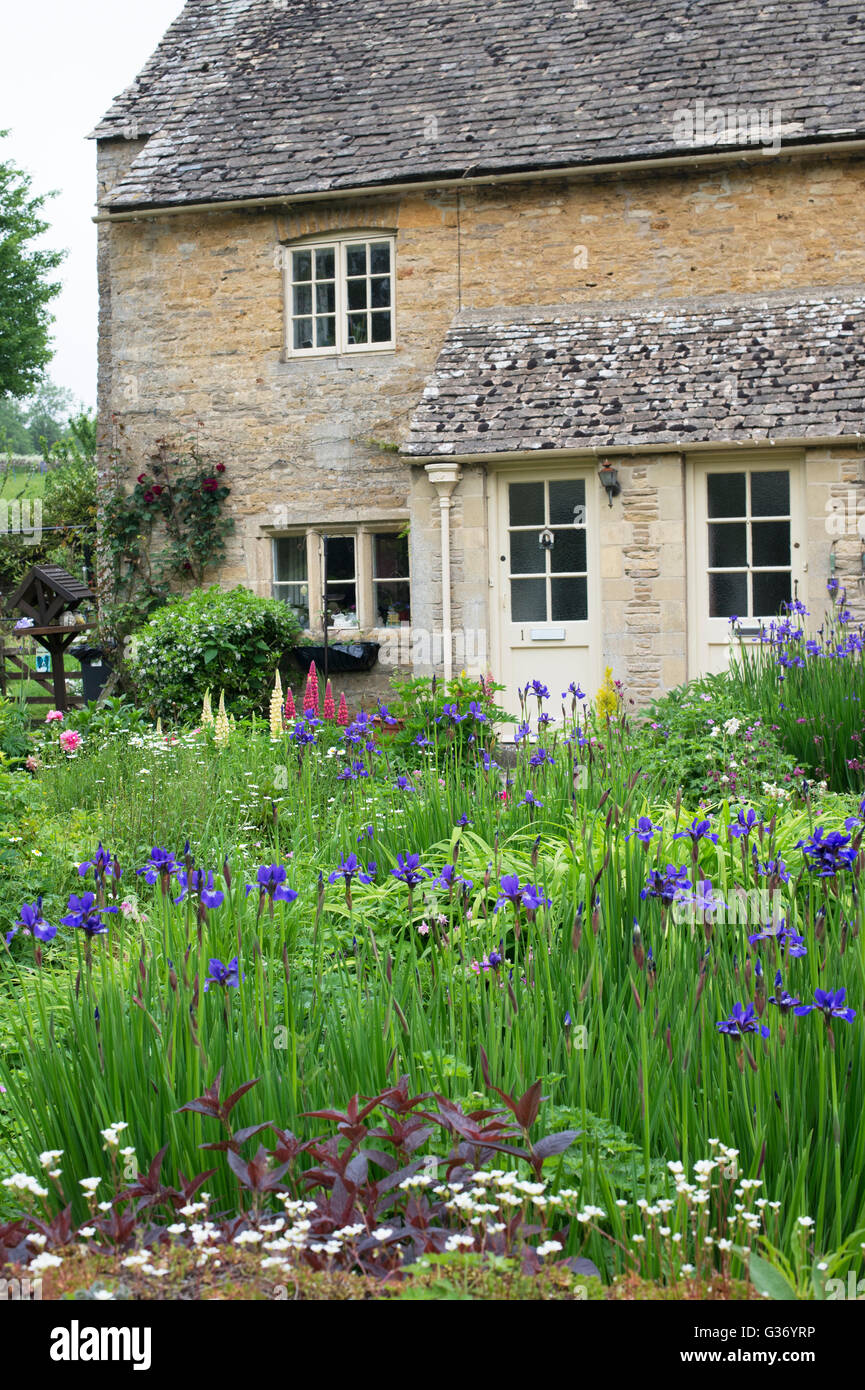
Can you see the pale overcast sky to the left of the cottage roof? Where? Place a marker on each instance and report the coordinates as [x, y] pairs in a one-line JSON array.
[[63, 65]]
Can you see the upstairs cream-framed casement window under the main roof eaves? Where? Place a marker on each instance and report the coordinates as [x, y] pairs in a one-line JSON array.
[[340, 297]]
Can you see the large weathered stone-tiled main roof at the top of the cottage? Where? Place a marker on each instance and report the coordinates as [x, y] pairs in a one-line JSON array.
[[270, 98]]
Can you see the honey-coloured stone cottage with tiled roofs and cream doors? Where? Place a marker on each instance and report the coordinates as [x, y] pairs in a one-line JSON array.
[[532, 336]]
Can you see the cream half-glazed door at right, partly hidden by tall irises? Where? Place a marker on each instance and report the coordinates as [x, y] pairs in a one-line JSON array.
[[747, 548]]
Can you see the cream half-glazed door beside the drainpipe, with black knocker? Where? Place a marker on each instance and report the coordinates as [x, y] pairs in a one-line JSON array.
[[546, 582]]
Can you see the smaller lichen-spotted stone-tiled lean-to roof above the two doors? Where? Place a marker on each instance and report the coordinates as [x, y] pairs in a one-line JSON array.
[[629, 375]]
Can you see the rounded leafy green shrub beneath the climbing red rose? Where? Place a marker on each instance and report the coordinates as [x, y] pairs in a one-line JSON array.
[[212, 640]]
